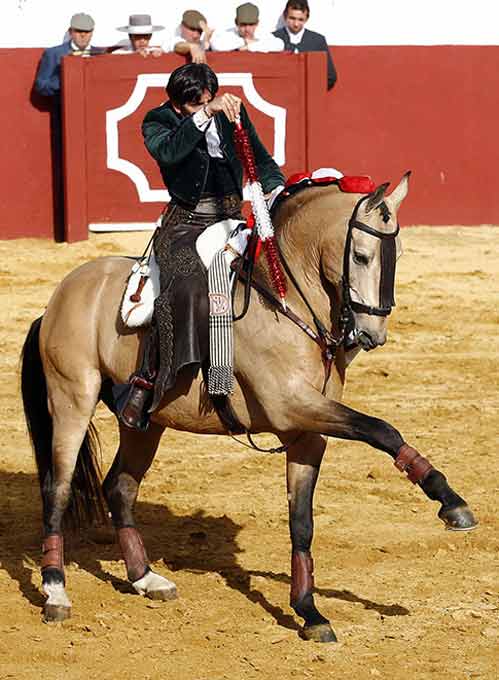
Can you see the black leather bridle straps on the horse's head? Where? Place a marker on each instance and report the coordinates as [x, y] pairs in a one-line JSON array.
[[387, 275]]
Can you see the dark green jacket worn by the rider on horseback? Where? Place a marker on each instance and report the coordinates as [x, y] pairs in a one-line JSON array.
[[179, 149]]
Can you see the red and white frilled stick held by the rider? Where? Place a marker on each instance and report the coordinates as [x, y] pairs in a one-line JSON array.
[[264, 227]]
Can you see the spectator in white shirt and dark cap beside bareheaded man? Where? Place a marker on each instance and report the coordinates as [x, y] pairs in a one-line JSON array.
[[246, 35]]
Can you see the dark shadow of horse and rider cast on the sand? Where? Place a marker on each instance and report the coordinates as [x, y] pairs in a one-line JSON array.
[[198, 543]]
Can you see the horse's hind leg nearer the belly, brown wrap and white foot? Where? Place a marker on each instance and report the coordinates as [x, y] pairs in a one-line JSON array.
[[121, 486]]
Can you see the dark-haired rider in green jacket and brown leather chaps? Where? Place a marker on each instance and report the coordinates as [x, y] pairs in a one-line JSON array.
[[191, 139]]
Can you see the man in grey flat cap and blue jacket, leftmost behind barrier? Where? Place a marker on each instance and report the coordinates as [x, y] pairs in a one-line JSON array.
[[48, 79]]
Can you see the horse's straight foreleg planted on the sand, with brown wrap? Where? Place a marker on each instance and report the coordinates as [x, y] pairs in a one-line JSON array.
[[303, 463]]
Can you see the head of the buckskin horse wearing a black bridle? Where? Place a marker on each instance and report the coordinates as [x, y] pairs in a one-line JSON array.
[[367, 274]]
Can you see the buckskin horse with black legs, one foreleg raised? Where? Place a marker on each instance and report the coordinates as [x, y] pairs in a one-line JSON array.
[[287, 382]]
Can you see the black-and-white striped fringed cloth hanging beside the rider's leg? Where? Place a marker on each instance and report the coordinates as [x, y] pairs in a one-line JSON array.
[[221, 370]]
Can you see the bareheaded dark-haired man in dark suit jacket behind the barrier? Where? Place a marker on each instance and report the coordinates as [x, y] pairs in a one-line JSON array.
[[299, 39]]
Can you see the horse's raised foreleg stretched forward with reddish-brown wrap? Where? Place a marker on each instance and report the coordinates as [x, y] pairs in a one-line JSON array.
[[336, 420]]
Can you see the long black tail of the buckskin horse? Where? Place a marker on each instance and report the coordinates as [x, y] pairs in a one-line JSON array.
[[86, 503]]
